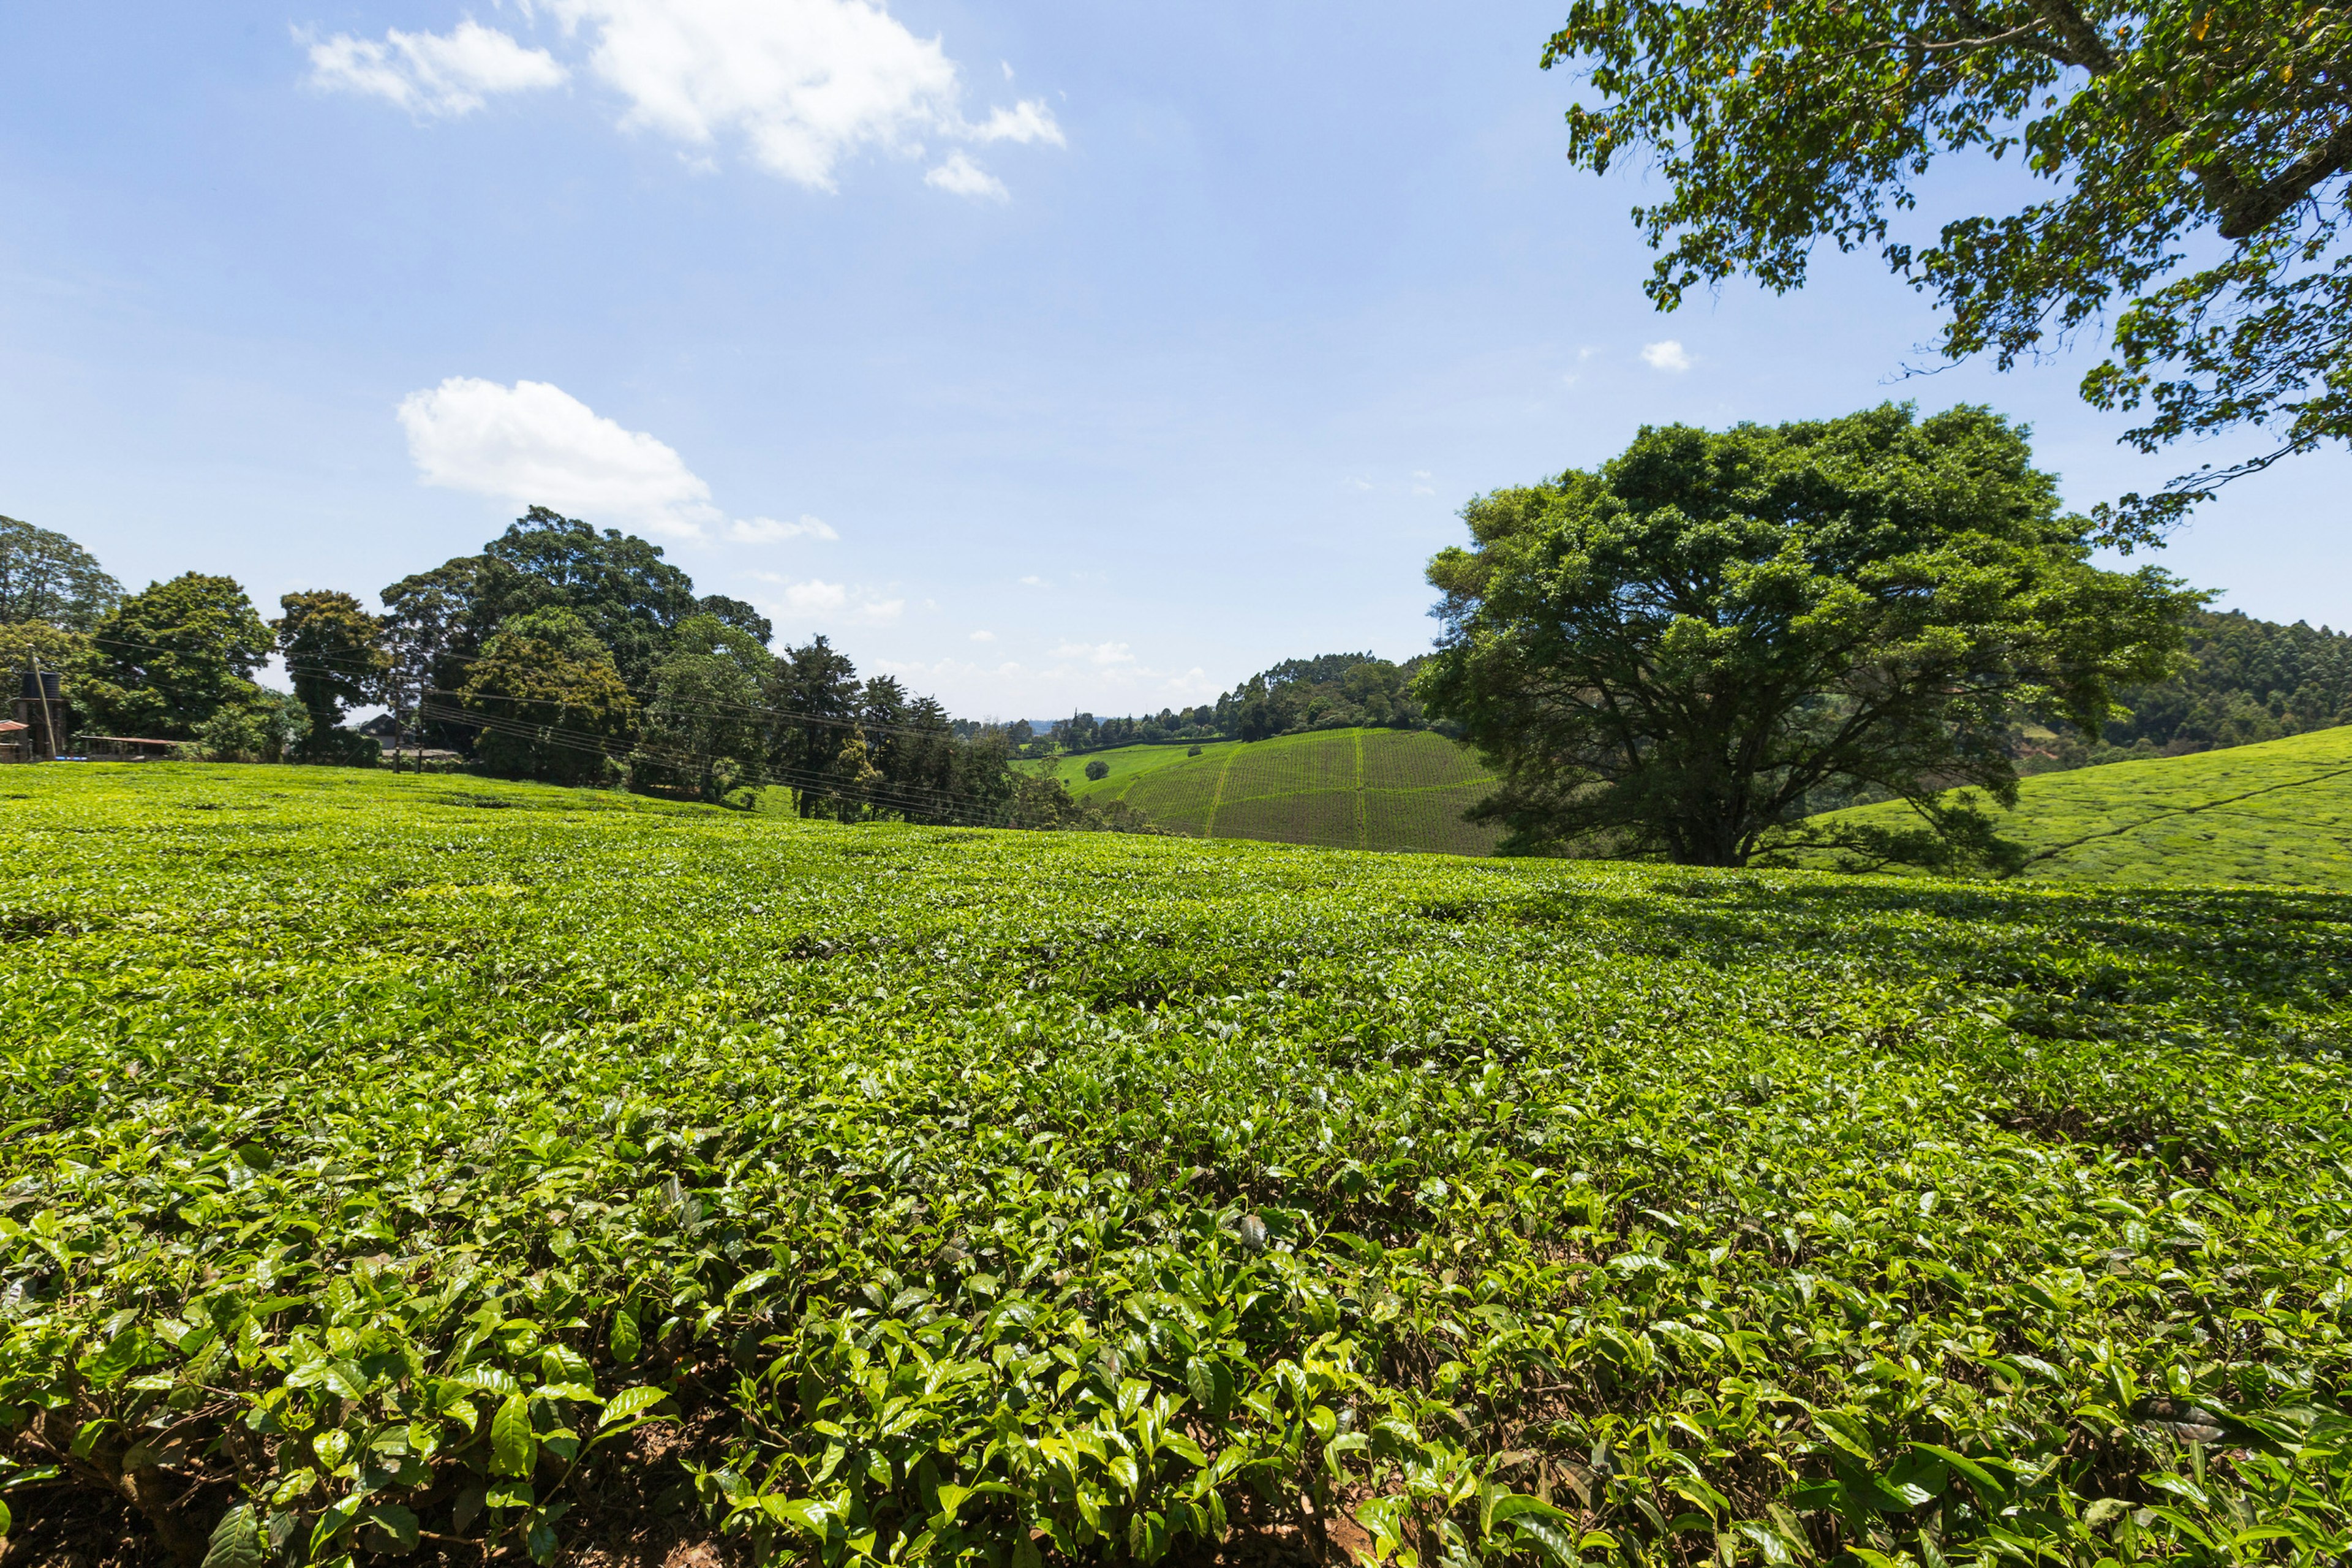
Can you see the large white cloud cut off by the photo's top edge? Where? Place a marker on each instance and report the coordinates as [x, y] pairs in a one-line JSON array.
[[803, 83]]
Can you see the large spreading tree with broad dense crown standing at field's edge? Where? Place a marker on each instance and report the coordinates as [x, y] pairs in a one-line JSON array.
[[1716, 636]]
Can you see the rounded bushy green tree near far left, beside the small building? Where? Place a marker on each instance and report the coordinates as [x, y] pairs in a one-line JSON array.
[[171, 657]]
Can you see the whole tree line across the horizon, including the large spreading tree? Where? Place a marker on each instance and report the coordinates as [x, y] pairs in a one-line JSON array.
[[1695, 652]]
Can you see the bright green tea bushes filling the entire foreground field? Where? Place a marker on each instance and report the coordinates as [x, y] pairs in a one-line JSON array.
[[507, 1174]]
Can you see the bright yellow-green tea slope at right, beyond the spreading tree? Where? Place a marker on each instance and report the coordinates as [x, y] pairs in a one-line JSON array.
[[2259, 815]]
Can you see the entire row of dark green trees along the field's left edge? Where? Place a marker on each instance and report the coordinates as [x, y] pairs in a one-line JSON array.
[[561, 652]]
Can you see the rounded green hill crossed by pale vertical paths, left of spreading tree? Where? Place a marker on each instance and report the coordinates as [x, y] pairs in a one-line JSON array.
[[1344, 789]]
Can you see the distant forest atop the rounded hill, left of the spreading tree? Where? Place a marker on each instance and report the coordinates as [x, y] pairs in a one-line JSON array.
[[1299, 695]]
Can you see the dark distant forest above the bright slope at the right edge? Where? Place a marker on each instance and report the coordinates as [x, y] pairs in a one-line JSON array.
[[2247, 681]]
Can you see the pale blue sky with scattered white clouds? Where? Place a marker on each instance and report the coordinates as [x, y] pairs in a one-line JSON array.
[[1074, 354]]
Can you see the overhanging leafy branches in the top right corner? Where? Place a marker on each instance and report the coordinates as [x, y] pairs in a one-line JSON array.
[[2193, 163]]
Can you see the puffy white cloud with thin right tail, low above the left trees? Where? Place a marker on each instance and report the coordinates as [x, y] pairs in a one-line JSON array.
[[537, 443]]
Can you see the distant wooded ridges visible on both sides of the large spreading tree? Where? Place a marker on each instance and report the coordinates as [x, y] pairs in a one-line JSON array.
[[2250, 681]]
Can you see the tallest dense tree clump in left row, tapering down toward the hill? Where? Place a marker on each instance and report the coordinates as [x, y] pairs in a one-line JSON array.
[[573, 655]]
